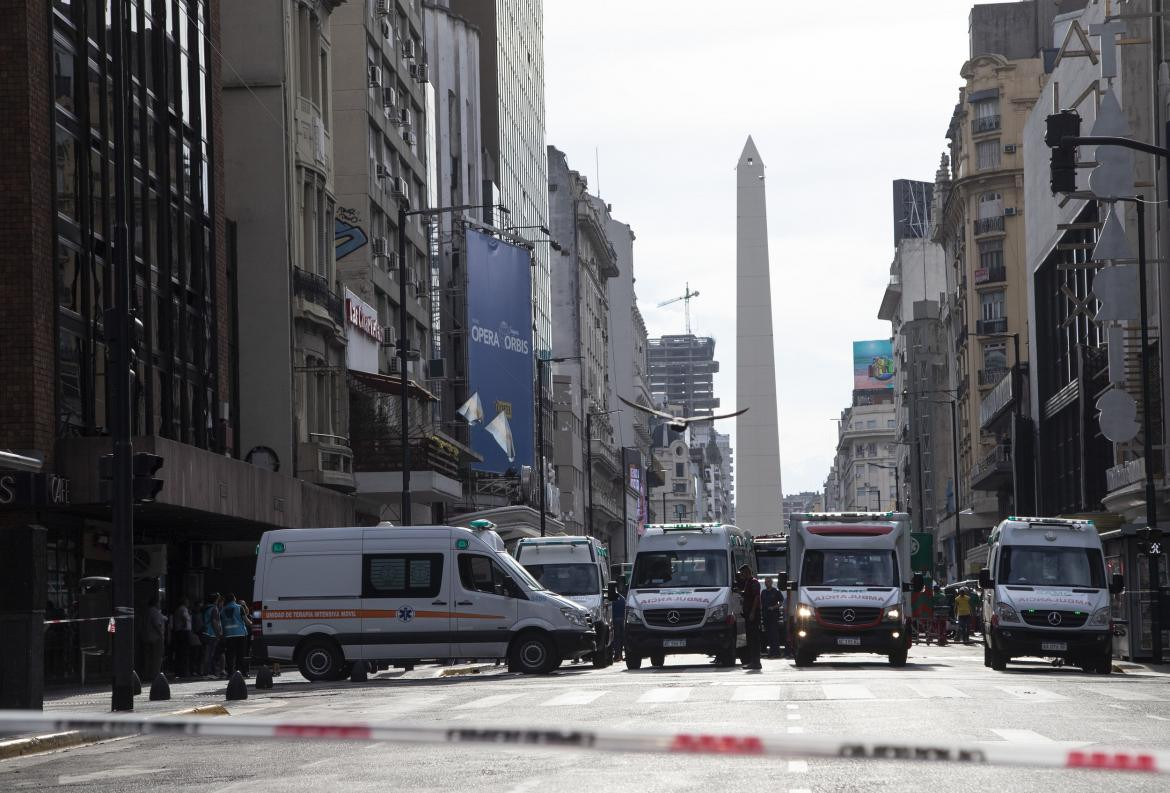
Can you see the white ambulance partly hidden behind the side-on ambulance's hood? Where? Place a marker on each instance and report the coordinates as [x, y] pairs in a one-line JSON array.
[[577, 568]]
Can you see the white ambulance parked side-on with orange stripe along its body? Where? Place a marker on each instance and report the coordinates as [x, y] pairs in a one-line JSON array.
[[331, 597]]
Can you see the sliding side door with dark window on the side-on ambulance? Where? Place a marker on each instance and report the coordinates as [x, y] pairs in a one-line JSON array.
[[405, 601]]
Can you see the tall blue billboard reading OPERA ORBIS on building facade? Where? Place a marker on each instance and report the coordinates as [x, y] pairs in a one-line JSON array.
[[500, 350]]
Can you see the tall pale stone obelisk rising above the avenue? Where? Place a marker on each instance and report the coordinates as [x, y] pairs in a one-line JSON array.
[[760, 498]]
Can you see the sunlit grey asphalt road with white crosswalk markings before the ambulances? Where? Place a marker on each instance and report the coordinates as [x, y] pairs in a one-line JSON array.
[[942, 695]]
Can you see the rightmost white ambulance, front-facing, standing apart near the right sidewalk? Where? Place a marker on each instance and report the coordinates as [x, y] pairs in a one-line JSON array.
[[1045, 594]]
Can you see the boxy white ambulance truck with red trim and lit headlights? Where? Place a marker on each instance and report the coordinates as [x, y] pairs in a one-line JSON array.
[[849, 582]]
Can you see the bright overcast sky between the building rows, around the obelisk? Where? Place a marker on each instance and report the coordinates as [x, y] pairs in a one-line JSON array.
[[841, 100]]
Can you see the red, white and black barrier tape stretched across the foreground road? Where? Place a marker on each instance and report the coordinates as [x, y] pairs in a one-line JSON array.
[[1045, 756]]
